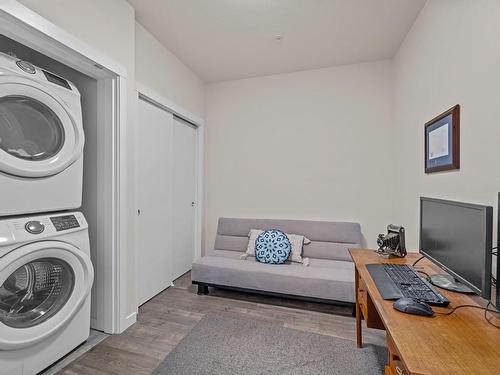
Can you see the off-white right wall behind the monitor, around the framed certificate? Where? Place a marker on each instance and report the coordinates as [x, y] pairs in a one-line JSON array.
[[451, 56]]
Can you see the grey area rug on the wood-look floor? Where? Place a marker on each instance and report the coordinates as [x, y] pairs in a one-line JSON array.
[[224, 346]]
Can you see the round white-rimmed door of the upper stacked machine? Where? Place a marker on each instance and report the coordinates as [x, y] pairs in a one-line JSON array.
[[39, 136]]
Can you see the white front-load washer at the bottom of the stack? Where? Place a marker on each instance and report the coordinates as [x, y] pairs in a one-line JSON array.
[[45, 281]]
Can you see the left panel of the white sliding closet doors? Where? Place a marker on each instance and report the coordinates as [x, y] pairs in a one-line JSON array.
[[154, 200]]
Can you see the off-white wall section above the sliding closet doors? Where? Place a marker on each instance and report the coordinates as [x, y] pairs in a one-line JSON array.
[[160, 70]]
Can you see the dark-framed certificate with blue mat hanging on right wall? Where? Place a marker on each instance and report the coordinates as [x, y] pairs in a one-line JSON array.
[[442, 141]]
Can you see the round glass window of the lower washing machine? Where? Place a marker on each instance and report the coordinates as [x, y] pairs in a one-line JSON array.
[[35, 292]]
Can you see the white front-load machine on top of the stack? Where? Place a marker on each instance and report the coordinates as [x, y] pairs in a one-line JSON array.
[[41, 140]]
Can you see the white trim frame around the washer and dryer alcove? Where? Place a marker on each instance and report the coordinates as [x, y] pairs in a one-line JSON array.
[[21, 24]]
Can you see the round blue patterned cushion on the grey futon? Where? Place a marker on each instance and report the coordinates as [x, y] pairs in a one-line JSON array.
[[273, 247]]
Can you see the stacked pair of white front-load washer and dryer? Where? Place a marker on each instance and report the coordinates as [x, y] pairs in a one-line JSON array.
[[45, 270]]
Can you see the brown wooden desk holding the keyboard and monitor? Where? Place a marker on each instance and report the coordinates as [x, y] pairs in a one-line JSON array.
[[460, 343]]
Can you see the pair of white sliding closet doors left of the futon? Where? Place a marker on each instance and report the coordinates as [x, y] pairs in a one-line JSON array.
[[167, 188]]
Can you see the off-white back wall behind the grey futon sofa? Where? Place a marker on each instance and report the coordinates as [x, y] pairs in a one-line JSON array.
[[306, 145]]
